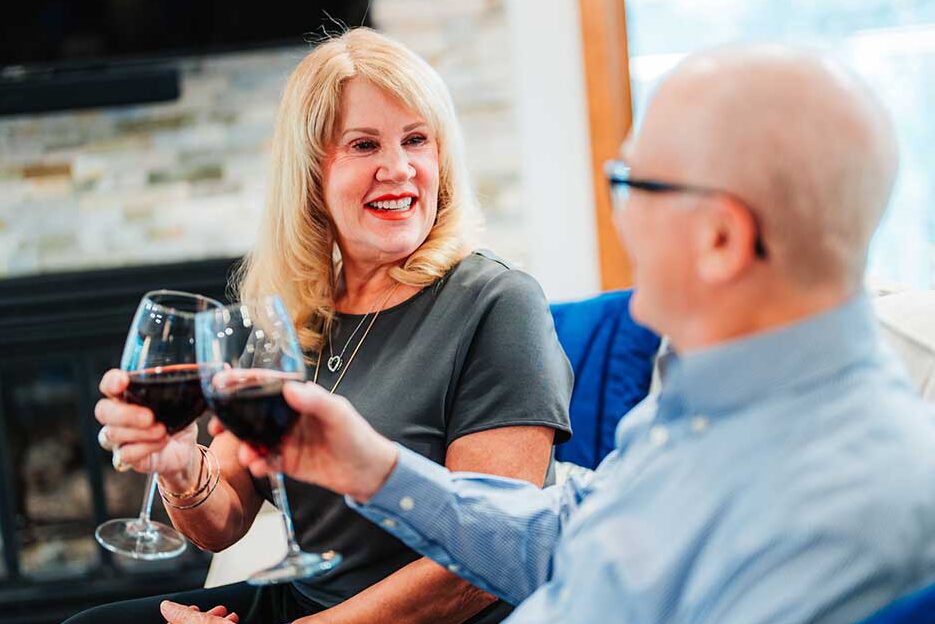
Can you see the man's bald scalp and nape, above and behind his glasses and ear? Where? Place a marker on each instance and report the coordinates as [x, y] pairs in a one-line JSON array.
[[796, 136]]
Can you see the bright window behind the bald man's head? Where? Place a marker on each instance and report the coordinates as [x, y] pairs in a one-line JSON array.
[[890, 43]]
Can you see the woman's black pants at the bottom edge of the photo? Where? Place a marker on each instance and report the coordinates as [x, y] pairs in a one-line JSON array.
[[273, 604]]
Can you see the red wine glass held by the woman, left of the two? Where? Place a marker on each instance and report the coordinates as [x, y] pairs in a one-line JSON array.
[[159, 358]]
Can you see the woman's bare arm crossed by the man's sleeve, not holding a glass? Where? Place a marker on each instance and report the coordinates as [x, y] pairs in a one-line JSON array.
[[424, 591]]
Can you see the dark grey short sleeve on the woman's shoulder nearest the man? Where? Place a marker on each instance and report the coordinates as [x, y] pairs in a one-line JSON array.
[[513, 370]]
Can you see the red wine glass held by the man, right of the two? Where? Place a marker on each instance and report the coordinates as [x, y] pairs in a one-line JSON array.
[[246, 352]]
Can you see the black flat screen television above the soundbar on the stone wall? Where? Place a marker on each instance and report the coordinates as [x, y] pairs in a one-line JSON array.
[[83, 33]]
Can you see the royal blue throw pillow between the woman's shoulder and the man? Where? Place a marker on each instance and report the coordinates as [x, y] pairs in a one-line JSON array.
[[612, 358]]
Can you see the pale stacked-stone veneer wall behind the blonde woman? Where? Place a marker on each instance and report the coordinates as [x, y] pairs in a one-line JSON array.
[[186, 179]]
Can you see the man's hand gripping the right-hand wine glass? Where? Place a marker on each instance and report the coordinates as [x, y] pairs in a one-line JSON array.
[[331, 445]]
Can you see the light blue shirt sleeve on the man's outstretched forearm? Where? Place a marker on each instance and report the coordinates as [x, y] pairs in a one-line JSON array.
[[495, 532]]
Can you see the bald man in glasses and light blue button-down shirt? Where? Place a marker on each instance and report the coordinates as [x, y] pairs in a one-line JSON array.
[[786, 472]]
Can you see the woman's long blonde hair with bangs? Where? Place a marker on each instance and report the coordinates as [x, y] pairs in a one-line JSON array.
[[295, 254]]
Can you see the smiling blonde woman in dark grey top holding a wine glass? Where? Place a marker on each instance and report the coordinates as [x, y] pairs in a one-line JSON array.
[[446, 350]]
